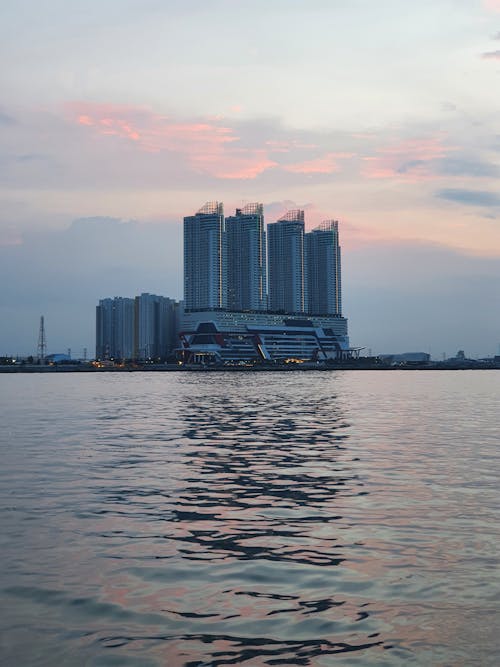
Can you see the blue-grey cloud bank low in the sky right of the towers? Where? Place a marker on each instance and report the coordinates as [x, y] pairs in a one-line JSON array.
[[426, 285]]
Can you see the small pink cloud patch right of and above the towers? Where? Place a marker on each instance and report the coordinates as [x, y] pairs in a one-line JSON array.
[[409, 160]]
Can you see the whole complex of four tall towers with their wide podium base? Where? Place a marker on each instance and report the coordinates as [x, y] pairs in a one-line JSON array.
[[227, 316]]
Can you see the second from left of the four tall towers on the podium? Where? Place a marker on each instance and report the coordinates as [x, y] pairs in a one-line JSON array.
[[246, 259]]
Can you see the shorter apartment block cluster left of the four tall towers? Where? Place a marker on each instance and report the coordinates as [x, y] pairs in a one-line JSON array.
[[145, 327]]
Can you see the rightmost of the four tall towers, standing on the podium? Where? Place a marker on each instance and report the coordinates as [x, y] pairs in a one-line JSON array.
[[323, 269]]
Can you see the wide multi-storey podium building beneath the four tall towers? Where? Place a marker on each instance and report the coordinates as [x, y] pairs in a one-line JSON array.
[[229, 336]]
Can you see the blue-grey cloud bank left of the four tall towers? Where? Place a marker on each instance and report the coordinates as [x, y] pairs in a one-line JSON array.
[[63, 273]]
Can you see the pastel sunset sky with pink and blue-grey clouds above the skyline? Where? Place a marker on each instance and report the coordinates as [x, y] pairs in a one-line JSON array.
[[119, 117]]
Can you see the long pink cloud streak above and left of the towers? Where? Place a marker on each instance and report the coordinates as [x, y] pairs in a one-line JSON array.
[[208, 146]]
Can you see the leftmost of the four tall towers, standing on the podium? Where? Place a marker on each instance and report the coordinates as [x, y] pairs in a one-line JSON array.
[[205, 273]]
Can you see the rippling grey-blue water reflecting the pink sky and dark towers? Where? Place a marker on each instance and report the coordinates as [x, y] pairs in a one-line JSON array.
[[257, 519]]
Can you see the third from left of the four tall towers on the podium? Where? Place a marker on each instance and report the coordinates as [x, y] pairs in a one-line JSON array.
[[287, 271]]
